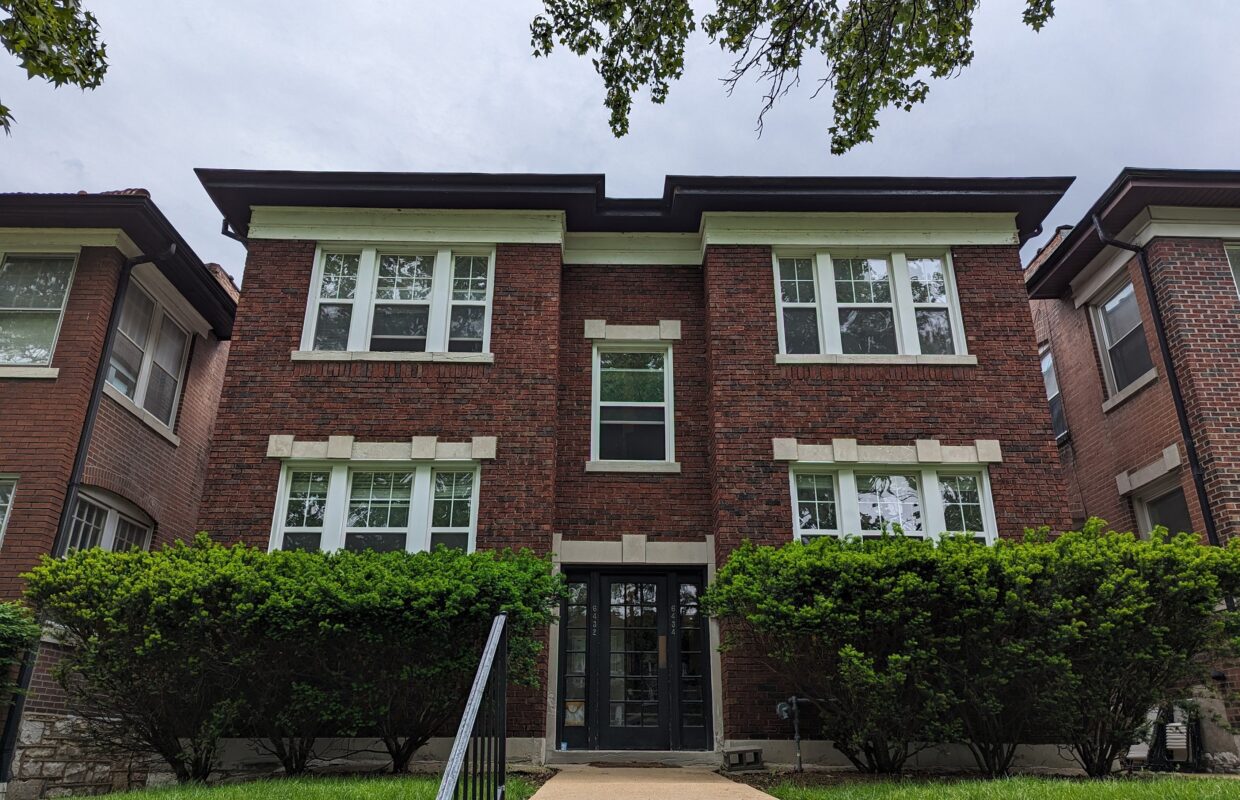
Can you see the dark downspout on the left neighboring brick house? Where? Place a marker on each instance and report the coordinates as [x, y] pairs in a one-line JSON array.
[[9, 739]]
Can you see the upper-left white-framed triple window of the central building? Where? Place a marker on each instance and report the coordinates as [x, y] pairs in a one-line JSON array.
[[396, 300]]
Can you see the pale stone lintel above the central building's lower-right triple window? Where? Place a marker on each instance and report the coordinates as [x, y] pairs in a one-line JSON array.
[[921, 452]]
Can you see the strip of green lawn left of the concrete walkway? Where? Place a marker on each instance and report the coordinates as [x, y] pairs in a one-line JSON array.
[[387, 788]]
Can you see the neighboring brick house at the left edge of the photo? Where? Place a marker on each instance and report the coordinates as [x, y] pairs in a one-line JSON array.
[[100, 446]]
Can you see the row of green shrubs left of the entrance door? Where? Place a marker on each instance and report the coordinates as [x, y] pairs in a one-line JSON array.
[[175, 649]]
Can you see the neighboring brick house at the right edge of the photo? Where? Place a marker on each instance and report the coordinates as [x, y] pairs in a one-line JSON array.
[[1122, 437]]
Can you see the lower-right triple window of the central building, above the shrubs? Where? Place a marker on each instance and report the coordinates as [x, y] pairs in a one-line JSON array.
[[869, 500]]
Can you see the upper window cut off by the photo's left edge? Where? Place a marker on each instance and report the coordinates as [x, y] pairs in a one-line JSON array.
[[34, 292]]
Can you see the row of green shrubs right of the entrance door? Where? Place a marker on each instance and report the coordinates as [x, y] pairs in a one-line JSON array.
[[901, 644]]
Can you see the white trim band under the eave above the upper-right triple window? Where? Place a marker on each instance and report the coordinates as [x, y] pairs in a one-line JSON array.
[[910, 230]]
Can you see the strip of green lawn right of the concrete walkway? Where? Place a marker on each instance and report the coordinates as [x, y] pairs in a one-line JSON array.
[[1020, 789]]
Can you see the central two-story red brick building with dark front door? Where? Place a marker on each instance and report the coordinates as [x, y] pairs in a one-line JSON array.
[[635, 388]]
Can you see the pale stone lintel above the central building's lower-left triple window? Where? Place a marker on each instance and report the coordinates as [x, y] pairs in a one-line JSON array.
[[345, 448]]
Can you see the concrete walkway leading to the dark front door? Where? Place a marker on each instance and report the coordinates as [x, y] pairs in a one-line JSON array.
[[644, 783]]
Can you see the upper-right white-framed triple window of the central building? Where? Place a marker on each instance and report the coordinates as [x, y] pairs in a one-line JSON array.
[[867, 304]]
